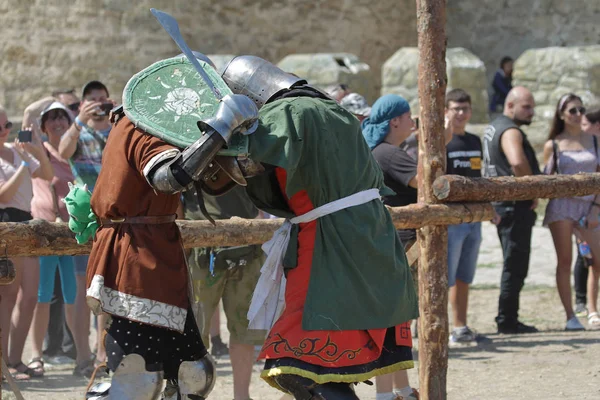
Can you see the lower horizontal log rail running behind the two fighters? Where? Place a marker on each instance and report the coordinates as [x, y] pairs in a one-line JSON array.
[[41, 238]]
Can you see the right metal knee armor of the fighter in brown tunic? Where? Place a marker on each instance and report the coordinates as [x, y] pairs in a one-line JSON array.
[[197, 378]]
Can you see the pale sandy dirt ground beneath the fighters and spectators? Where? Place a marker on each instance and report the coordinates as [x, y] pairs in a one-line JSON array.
[[552, 364]]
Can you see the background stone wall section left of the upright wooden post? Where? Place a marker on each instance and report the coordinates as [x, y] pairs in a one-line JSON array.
[[46, 45]]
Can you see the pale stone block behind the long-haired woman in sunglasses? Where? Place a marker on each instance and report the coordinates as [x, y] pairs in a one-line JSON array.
[[552, 72]]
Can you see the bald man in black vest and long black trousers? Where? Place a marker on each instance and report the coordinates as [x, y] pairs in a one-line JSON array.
[[507, 152]]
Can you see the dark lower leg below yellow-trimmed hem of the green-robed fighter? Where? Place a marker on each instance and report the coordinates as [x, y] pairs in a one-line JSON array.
[[305, 389]]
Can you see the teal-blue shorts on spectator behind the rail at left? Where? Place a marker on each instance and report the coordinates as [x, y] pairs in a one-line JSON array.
[[48, 265]]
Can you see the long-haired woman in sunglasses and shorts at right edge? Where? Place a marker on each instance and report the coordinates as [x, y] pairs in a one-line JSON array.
[[570, 151]]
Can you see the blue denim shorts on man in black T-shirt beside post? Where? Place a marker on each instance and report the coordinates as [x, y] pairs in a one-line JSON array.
[[464, 241]]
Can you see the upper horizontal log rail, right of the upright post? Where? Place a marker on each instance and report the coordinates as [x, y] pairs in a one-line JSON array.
[[455, 188]]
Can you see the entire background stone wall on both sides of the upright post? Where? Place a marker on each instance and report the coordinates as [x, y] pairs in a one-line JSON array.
[[47, 44]]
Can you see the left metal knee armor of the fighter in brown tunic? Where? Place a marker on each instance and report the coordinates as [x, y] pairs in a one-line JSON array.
[[131, 381]]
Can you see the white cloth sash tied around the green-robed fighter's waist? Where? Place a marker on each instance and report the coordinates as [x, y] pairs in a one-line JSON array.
[[268, 300]]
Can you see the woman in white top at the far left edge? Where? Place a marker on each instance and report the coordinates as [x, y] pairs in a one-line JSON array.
[[19, 162]]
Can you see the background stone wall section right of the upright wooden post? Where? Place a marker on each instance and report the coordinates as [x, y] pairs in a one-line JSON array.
[[492, 29]]
